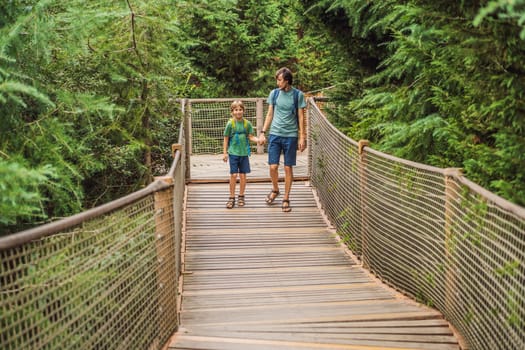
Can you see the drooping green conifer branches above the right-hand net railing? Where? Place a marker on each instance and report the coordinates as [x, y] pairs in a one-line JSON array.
[[447, 88]]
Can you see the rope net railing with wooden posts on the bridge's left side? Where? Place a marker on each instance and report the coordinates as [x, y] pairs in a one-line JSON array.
[[106, 278]]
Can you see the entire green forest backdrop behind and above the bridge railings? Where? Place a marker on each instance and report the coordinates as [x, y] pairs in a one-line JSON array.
[[89, 89]]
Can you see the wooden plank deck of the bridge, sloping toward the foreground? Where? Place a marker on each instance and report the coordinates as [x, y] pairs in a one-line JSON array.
[[257, 278]]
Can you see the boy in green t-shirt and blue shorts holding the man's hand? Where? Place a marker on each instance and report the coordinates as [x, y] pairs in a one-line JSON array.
[[236, 147]]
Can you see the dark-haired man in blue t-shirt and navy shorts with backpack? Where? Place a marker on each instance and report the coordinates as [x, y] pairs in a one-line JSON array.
[[284, 124]]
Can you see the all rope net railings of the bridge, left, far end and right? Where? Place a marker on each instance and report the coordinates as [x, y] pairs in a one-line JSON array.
[[108, 278]]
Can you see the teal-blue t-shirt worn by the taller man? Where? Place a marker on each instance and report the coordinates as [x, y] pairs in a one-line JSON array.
[[284, 122]]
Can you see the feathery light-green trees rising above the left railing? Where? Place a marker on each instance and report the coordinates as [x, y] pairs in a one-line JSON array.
[[81, 85]]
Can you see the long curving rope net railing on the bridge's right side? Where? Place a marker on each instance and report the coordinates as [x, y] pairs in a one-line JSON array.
[[428, 232]]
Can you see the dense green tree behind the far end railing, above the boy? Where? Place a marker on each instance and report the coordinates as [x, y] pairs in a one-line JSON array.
[[236, 46]]
